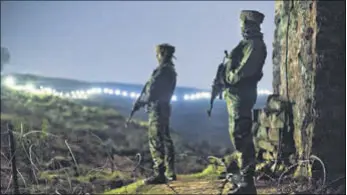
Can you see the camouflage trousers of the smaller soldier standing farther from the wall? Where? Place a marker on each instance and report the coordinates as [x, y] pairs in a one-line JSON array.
[[160, 143]]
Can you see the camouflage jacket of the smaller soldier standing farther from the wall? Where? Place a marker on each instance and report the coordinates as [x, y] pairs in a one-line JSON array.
[[162, 83]]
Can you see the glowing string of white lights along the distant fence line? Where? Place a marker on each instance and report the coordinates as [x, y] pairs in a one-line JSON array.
[[10, 82]]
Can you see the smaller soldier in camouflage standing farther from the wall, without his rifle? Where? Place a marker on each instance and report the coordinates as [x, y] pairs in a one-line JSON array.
[[159, 90]]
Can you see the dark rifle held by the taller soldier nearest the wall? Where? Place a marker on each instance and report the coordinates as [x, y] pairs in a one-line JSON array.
[[217, 86]]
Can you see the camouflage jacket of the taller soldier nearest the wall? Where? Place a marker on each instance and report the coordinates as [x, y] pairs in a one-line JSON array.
[[246, 62]]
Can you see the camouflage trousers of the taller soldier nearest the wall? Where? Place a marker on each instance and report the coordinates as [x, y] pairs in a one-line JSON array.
[[240, 103]]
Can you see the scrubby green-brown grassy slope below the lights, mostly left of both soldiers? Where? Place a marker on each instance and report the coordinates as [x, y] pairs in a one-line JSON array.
[[95, 136]]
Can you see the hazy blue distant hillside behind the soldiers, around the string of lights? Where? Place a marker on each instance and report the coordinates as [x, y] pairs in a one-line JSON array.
[[189, 118]]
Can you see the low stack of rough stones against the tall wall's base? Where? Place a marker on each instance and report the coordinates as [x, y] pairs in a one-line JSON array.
[[273, 130]]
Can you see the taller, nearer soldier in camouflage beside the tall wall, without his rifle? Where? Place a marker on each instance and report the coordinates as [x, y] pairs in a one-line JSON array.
[[243, 71]]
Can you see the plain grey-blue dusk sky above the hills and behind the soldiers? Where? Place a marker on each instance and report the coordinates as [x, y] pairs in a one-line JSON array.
[[115, 40]]
